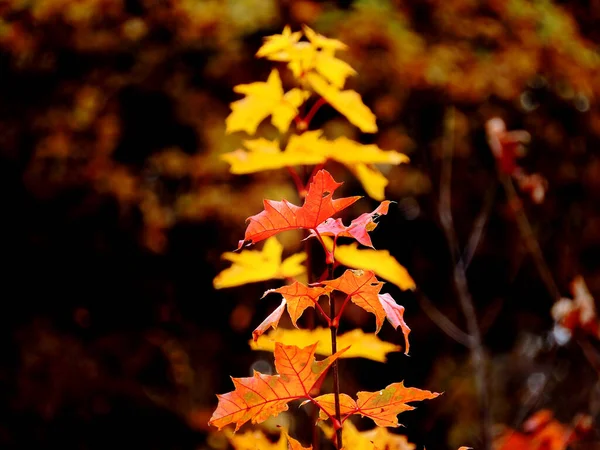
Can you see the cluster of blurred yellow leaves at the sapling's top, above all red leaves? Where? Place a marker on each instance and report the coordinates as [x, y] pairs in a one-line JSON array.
[[316, 70]]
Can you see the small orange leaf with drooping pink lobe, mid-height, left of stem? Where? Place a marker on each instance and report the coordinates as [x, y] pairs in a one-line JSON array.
[[297, 297]]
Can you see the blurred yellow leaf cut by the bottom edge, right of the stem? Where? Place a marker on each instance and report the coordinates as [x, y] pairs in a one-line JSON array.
[[378, 438]]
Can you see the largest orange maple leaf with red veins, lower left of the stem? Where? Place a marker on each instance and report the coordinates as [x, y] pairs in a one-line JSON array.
[[261, 396]]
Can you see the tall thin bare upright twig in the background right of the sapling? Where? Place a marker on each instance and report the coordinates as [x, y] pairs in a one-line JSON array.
[[461, 285]]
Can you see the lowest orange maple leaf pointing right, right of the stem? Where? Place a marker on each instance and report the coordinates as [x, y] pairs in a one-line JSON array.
[[381, 406]]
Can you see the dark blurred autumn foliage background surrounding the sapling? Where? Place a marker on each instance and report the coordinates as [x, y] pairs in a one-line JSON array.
[[116, 207]]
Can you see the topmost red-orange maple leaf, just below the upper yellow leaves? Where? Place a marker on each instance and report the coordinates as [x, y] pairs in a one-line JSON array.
[[282, 215]]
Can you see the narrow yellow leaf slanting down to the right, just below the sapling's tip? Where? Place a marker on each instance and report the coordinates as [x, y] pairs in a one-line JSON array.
[[349, 103]]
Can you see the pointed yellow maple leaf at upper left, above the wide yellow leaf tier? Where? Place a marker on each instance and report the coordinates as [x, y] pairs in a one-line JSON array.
[[264, 99]]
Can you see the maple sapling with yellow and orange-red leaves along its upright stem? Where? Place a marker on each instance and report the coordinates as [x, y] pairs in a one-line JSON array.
[[299, 375]]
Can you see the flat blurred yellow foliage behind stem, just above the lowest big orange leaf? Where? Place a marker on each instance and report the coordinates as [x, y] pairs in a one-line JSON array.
[[362, 345]]
